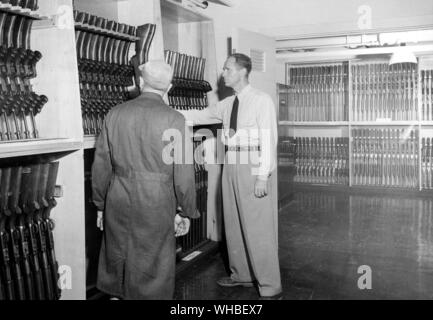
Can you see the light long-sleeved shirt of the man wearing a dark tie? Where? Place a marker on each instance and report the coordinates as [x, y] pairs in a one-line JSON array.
[[256, 124]]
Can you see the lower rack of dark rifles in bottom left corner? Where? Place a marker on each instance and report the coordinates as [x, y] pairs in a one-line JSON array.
[[28, 265]]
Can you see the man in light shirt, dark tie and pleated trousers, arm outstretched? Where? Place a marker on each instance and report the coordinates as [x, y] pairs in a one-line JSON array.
[[249, 179]]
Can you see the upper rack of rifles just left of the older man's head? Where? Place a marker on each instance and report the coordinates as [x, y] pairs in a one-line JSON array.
[[104, 67]]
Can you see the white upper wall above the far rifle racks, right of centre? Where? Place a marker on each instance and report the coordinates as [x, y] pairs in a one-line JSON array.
[[281, 18]]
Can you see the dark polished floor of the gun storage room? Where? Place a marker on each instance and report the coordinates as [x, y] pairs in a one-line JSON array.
[[327, 238]]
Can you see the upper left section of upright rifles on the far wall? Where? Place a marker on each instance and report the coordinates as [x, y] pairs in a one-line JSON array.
[[318, 93]]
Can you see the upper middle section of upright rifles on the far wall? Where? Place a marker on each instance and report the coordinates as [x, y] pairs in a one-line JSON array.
[[381, 91]]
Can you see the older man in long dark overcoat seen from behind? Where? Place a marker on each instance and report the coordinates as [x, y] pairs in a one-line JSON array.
[[138, 189]]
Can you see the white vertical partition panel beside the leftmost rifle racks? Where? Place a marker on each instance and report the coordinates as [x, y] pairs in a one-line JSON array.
[[57, 78]]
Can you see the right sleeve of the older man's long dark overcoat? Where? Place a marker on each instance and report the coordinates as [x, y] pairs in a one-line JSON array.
[[184, 175]]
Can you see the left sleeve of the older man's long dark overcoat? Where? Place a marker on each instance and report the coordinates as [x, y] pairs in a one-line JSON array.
[[102, 169]]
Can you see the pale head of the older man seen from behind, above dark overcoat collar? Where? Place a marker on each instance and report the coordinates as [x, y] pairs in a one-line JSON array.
[[156, 75]]
